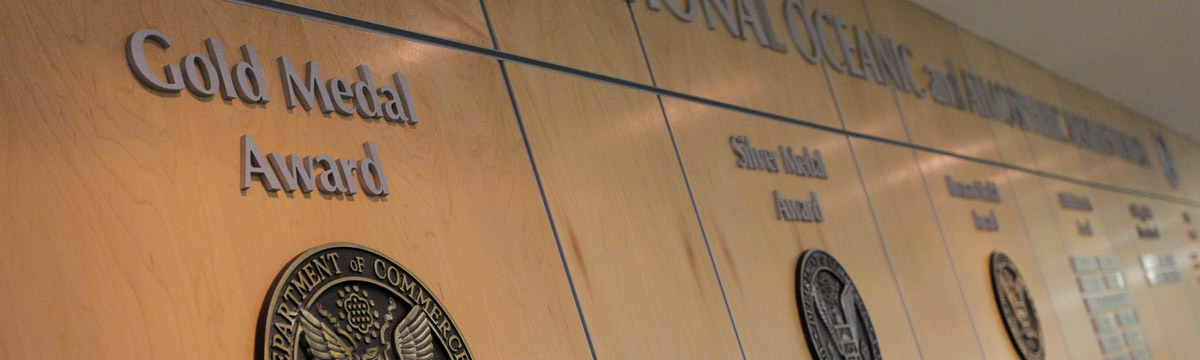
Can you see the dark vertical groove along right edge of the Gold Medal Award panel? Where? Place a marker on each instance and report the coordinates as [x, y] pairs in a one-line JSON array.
[[542, 190]]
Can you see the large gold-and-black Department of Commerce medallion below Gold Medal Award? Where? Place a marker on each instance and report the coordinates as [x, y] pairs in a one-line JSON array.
[[346, 302]]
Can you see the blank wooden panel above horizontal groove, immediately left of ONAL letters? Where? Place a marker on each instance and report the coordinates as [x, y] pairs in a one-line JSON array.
[[596, 37]]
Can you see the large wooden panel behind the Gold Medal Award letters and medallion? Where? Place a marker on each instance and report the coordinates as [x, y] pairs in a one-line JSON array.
[[134, 195]]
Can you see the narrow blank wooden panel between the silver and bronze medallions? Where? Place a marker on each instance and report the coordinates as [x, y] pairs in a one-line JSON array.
[[923, 267]]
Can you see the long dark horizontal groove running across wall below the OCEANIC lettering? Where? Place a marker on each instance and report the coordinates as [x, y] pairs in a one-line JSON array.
[[361, 25]]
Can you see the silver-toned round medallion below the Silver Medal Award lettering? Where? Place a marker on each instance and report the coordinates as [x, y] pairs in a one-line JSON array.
[[837, 326]]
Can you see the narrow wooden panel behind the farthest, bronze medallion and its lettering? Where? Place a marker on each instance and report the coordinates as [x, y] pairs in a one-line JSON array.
[[971, 250]]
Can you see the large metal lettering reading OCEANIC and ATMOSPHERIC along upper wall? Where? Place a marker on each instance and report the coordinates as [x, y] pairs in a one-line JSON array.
[[821, 37]]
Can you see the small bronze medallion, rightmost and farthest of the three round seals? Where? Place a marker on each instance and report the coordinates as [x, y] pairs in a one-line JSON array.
[[1017, 308]]
